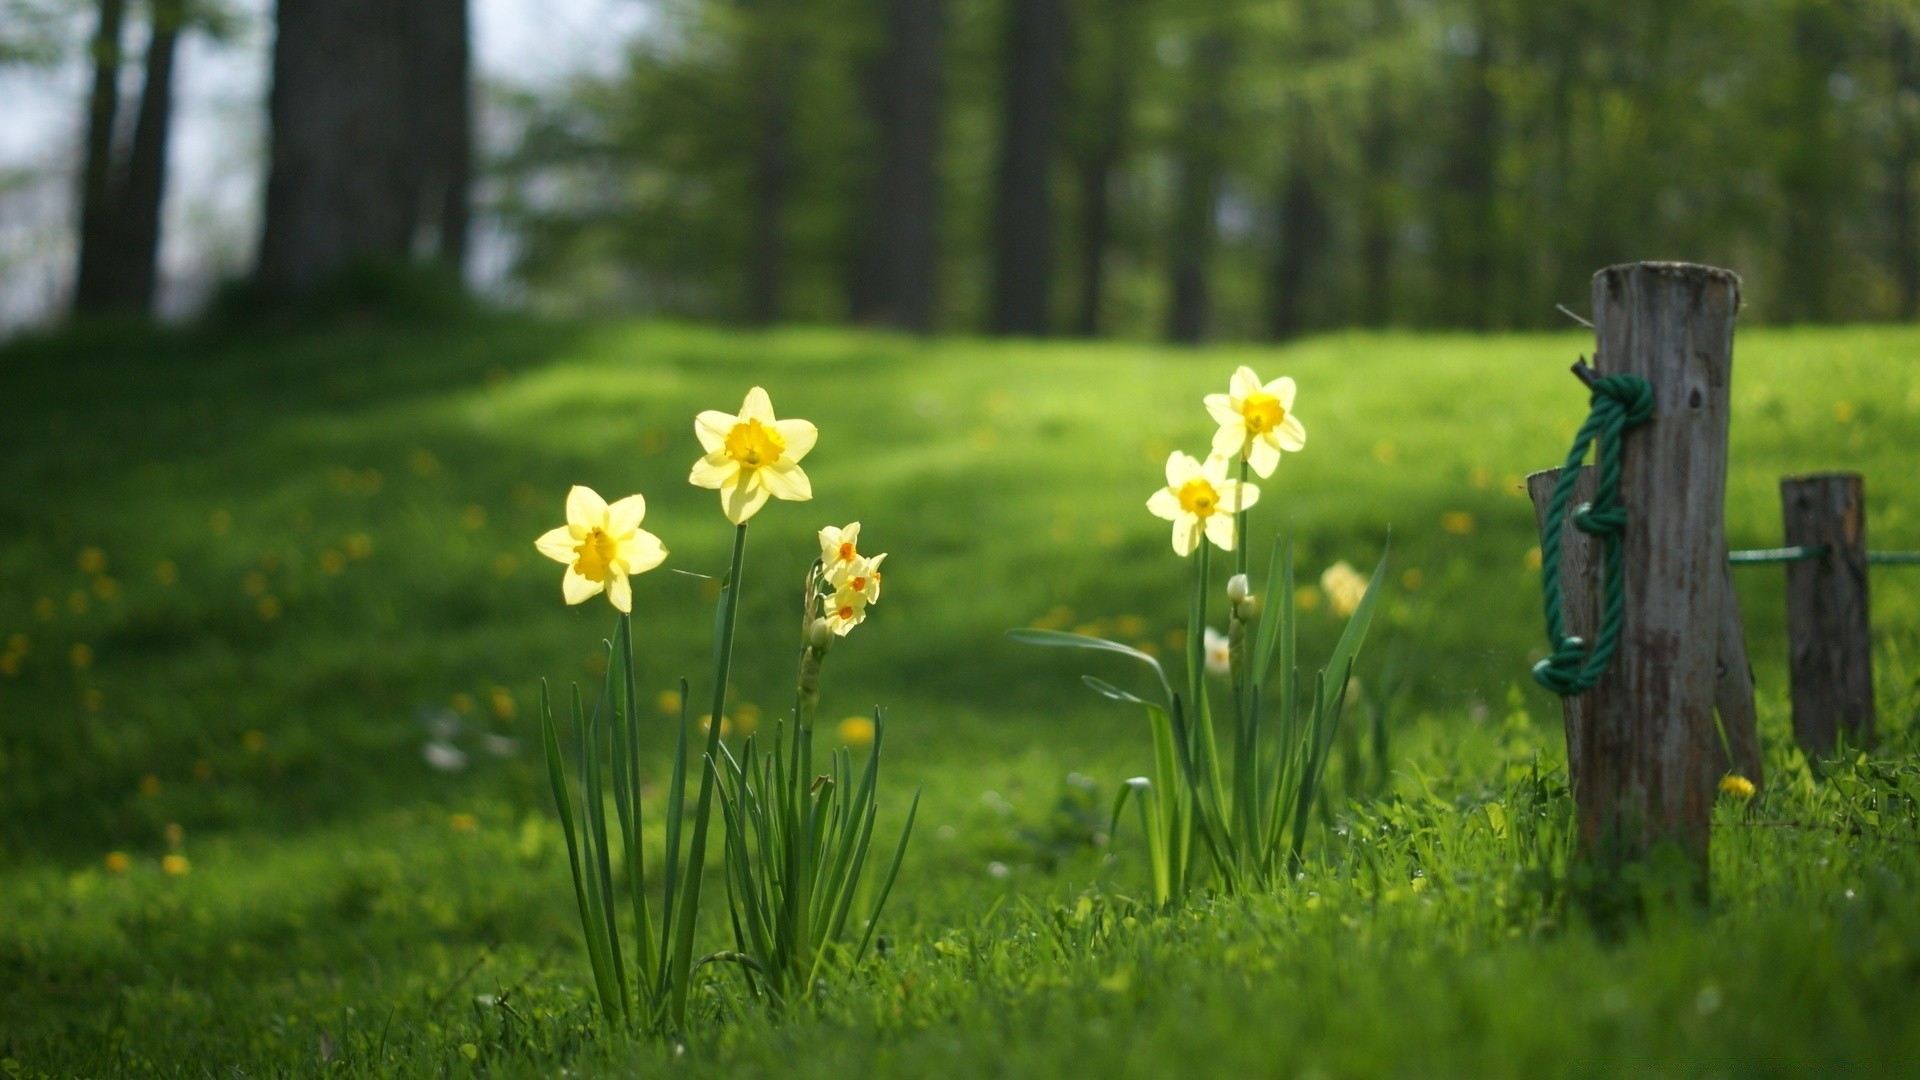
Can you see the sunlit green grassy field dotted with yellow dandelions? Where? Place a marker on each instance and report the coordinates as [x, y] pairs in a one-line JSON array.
[[241, 576]]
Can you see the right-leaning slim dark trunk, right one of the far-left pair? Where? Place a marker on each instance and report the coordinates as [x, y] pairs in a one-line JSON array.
[[145, 189]]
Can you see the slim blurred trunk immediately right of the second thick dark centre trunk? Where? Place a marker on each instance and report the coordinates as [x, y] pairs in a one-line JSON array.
[[1103, 153]]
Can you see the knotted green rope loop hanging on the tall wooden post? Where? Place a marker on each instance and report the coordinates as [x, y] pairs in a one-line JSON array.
[[1620, 403]]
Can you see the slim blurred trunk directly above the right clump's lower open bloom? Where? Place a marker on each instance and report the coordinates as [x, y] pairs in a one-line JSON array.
[[1197, 187]]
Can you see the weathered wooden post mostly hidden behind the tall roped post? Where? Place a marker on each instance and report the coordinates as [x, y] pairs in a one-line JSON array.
[[1733, 695]]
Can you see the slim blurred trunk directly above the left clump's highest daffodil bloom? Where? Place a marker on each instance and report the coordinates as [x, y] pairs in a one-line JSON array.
[[773, 66]]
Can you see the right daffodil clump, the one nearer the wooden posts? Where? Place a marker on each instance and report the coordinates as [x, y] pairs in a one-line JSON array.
[[1236, 818]]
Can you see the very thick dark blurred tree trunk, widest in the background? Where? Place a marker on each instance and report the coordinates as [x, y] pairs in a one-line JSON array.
[[372, 137]]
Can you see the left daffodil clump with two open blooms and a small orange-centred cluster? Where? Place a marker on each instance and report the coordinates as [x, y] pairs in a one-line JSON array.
[[796, 845]]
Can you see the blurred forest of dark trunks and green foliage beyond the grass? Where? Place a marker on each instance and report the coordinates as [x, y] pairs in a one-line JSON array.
[[1174, 170]]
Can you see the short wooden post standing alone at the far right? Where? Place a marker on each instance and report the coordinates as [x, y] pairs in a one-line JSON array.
[[1831, 652]]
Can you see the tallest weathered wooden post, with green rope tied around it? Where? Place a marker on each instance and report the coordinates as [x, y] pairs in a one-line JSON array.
[[1650, 762]]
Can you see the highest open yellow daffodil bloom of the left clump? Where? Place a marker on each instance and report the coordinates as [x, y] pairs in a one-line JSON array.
[[752, 456]]
